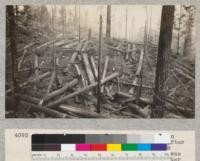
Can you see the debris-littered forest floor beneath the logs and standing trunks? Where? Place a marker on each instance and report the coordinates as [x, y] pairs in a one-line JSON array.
[[118, 97]]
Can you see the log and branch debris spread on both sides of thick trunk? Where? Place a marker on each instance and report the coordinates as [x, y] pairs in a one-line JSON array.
[[60, 80]]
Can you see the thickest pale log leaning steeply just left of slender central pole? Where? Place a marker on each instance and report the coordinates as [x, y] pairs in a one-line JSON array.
[[88, 68]]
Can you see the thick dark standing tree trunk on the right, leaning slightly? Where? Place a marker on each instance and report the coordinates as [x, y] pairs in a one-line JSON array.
[[164, 46]]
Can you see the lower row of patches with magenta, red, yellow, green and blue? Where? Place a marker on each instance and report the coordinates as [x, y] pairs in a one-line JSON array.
[[99, 147]]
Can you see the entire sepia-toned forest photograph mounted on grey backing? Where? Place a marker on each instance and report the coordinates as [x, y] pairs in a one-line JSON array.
[[100, 61]]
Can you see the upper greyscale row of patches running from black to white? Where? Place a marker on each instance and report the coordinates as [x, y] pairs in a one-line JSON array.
[[100, 138]]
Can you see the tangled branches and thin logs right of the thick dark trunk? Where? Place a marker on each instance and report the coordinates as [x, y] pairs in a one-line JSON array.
[[181, 85]]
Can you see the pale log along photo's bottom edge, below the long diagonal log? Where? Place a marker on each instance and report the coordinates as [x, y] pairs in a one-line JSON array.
[[80, 112]]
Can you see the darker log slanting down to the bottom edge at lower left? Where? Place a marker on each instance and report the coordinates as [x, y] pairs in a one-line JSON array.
[[47, 111]]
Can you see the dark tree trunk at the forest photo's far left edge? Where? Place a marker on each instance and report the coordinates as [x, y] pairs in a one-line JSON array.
[[13, 46]]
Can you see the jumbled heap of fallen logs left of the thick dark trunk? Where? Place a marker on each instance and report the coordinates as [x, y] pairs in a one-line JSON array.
[[54, 102]]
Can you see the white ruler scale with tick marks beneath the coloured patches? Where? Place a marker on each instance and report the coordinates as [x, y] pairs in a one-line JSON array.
[[160, 156]]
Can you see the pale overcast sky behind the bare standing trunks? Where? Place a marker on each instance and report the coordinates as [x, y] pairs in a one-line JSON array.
[[136, 15]]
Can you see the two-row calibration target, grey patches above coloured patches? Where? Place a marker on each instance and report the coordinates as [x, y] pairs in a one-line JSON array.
[[99, 142]]
